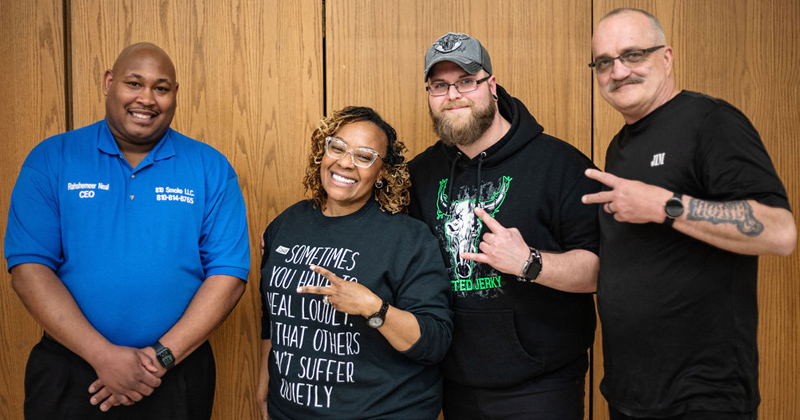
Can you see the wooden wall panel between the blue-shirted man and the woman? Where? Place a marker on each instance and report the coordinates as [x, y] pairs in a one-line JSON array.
[[250, 85]]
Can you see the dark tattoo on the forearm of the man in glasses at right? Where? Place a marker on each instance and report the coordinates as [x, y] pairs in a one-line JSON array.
[[738, 213]]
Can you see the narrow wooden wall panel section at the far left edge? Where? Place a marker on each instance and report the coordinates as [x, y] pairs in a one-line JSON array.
[[32, 88]]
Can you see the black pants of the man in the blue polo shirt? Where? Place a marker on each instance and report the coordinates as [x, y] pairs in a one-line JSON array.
[[57, 383]]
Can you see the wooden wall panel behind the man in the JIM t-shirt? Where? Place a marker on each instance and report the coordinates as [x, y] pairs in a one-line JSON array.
[[746, 52]]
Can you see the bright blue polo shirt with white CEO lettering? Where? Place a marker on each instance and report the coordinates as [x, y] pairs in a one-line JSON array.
[[131, 245]]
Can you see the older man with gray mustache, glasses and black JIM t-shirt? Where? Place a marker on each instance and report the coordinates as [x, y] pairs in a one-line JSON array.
[[691, 200]]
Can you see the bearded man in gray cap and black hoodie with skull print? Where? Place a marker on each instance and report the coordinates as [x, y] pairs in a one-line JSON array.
[[504, 200]]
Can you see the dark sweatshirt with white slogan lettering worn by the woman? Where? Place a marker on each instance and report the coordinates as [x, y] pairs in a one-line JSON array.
[[326, 364]]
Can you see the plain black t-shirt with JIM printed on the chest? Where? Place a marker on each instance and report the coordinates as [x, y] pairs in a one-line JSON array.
[[680, 316]]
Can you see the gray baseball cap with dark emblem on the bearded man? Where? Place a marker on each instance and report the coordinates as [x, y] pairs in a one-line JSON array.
[[461, 49]]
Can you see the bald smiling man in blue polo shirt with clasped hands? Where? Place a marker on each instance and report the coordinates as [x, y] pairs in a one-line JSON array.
[[127, 242]]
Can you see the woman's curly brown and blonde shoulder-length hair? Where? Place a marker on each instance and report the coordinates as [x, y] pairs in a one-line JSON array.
[[393, 196]]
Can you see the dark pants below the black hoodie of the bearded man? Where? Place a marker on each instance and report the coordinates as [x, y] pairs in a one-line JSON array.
[[540, 399]]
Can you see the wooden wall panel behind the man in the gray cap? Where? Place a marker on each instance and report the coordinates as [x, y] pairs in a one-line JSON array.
[[375, 56]]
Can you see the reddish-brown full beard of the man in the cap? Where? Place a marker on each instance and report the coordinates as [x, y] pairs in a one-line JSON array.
[[466, 132]]
